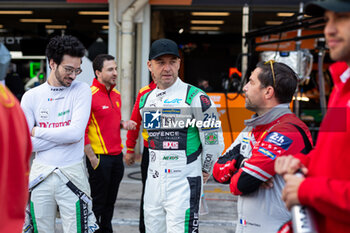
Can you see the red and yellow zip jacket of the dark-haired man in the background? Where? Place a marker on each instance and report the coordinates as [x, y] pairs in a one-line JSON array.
[[103, 136]]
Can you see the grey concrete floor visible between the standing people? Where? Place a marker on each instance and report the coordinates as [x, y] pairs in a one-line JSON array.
[[221, 218]]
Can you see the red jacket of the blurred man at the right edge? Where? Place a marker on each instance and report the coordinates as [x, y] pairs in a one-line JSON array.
[[327, 185]]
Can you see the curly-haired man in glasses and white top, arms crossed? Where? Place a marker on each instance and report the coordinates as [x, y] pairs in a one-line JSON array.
[[57, 113]]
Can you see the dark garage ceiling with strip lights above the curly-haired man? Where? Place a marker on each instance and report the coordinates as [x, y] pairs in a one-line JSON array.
[[38, 21]]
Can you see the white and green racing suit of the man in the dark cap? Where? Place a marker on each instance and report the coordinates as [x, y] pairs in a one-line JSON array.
[[181, 147]]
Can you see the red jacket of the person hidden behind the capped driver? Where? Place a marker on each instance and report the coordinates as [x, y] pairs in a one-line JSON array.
[[132, 135]]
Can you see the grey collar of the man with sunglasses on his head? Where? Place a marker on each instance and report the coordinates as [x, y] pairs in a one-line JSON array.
[[269, 116]]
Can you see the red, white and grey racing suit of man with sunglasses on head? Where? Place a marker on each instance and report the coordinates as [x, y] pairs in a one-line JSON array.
[[276, 133]]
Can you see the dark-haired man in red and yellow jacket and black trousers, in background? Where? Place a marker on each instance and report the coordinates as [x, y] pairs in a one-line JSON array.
[[103, 144]]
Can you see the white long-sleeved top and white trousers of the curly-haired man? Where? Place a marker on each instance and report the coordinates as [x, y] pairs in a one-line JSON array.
[[60, 116]]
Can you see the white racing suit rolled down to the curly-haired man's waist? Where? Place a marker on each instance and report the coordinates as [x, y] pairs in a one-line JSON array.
[[73, 200]]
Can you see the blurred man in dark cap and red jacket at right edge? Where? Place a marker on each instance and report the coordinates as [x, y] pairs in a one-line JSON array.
[[326, 188]]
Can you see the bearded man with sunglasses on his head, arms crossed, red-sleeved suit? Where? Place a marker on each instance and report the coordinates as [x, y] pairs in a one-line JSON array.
[[248, 164]]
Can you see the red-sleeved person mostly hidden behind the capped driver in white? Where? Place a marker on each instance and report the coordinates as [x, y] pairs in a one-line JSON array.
[[132, 136]]
